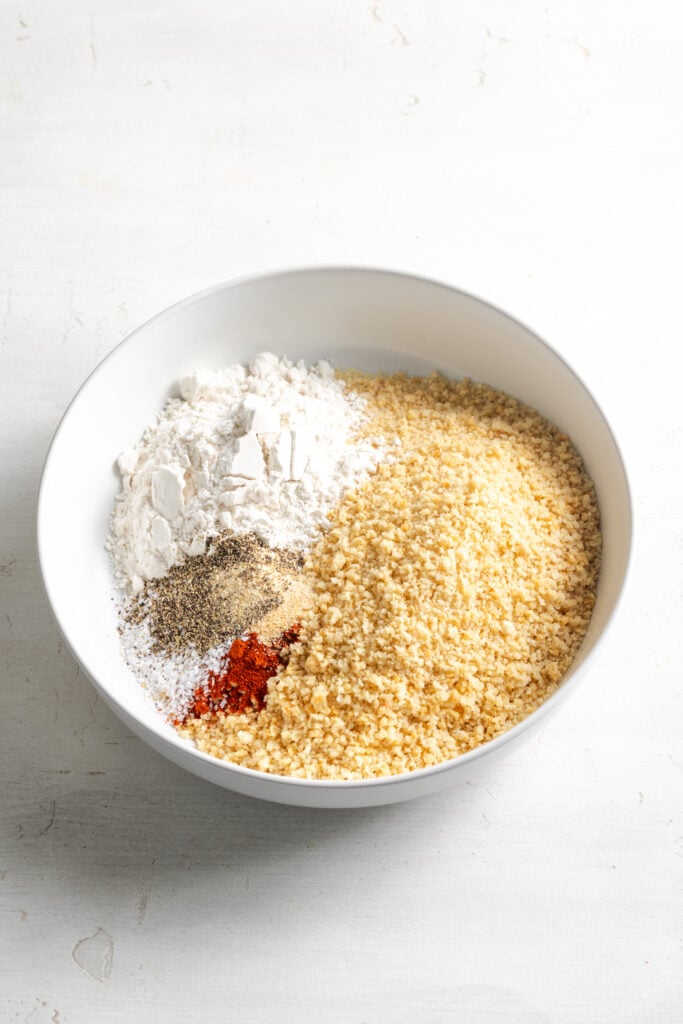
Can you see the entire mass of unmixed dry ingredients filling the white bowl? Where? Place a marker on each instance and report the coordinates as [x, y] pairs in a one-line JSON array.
[[416, 585]]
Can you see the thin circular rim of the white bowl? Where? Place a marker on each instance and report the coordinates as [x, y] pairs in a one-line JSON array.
[[571, 679]]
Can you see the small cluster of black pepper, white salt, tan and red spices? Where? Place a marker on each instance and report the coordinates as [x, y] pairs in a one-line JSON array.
[[182, 634]]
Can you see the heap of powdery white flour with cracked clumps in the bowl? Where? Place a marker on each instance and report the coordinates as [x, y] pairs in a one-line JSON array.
[[265, 449]]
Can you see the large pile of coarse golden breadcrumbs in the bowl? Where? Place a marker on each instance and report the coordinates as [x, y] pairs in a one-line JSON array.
[[451, 593]]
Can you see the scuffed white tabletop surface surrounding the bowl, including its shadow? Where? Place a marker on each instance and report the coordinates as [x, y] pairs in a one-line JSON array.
[[531, 153]]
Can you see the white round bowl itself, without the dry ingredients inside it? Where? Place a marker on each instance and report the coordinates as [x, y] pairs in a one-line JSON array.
[[373, 320]]
